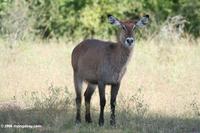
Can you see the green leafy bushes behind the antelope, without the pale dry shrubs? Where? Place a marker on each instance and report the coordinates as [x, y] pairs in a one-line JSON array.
[[74, 19]]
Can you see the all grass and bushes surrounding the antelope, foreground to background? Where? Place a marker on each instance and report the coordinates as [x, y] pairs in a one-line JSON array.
[[159, 93]]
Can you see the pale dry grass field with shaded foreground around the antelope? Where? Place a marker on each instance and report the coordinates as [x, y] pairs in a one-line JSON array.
[[159, 93]]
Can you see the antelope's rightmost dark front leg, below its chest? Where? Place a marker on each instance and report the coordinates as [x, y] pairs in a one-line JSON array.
[[114, 92]]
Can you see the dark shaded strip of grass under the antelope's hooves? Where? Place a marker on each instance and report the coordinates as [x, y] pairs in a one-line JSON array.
[[58, 121]]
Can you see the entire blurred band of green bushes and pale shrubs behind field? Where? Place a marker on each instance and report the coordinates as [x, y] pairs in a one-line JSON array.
[[74, 19]]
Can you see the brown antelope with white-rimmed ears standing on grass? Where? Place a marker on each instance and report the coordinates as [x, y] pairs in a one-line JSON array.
[[102, 63]]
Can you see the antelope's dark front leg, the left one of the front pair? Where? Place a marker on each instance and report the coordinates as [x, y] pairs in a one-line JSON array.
[[101, 86]]
